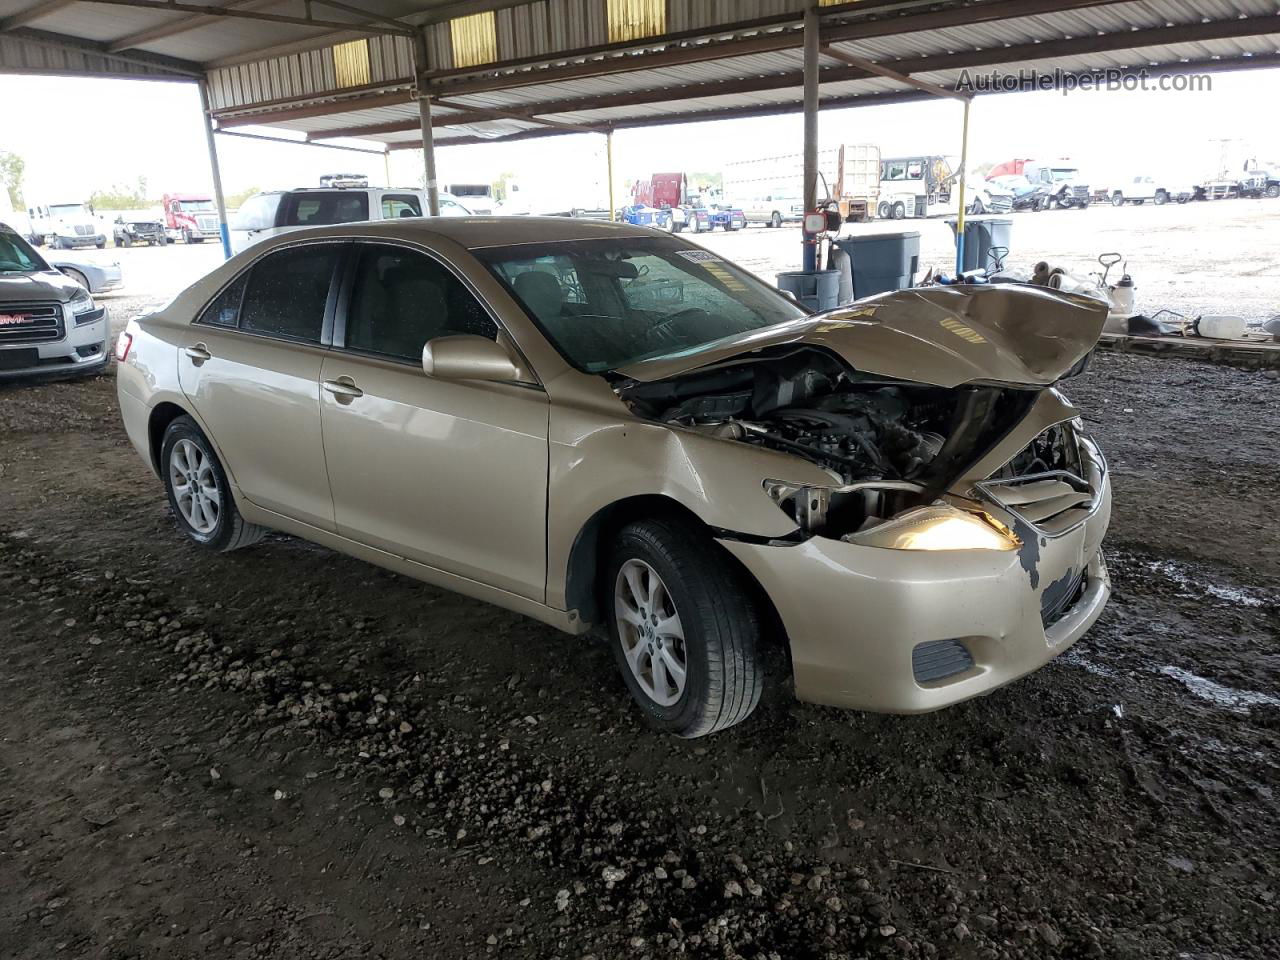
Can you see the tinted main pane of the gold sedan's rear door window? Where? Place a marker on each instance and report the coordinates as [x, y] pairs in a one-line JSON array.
[[287, 292]]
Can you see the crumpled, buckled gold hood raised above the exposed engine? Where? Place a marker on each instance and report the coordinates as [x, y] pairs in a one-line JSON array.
[[1018, 335]]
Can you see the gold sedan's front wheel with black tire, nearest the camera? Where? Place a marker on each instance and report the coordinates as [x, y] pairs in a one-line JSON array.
[[714, 612]]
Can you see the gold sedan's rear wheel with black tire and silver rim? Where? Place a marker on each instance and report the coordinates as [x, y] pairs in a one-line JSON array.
[[228, 531]]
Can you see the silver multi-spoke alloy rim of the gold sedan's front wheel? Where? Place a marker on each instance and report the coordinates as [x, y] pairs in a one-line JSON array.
[[651, 633]]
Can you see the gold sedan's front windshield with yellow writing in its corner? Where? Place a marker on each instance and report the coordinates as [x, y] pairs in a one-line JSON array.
[[606, 304]]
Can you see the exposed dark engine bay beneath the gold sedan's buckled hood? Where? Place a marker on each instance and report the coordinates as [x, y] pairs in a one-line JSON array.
[[889, 445]]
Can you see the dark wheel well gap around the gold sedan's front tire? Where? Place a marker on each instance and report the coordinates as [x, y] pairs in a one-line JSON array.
[[586, 570]]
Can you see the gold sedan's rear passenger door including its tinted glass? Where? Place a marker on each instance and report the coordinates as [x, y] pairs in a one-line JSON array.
[[252, 369]]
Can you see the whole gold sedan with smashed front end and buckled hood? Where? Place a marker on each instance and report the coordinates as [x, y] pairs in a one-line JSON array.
[[615, 431]]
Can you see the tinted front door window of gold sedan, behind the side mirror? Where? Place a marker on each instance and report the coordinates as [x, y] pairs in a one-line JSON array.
[[403, 300]]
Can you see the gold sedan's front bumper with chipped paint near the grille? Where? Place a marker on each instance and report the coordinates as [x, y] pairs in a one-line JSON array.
[[867, 624]]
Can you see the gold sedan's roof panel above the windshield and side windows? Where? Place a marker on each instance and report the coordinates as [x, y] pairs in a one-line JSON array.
[[478, 232]]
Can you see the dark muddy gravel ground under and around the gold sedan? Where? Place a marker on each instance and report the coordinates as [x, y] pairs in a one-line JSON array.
[[287, 753]]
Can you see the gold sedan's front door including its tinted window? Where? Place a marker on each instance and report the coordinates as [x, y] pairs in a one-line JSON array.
[[450, 474]]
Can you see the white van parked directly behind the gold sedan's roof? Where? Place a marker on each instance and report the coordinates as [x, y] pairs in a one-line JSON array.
[[280, 212]]
